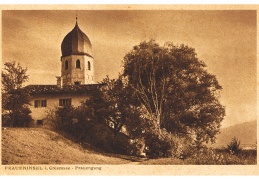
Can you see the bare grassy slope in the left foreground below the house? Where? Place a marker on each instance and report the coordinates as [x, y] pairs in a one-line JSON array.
[[41, 146]]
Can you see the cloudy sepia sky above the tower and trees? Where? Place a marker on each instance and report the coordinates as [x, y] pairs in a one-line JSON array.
[[224, 39]]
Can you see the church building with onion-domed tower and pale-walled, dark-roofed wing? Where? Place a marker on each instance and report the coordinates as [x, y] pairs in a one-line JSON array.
[[75, 82]]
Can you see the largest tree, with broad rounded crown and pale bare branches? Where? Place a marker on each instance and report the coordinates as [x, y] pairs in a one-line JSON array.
[[176, 90]]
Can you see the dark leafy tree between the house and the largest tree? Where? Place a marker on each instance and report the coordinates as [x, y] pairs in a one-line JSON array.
[[114, 106]]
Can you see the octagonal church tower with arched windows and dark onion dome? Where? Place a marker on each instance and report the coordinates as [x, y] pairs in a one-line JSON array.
[[76, 60]]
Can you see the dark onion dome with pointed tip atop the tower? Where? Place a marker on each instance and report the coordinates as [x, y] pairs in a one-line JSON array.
[[76, 43]]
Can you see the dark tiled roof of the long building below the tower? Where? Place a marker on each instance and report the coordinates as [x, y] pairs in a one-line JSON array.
[[38, 89]]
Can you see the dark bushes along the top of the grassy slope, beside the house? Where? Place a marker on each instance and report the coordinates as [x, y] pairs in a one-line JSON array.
[[79, 123]]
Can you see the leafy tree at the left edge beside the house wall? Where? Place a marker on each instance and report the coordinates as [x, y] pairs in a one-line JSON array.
[[15, 99]]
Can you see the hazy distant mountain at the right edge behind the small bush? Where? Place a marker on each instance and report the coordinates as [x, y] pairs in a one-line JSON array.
[[245, 132]]
